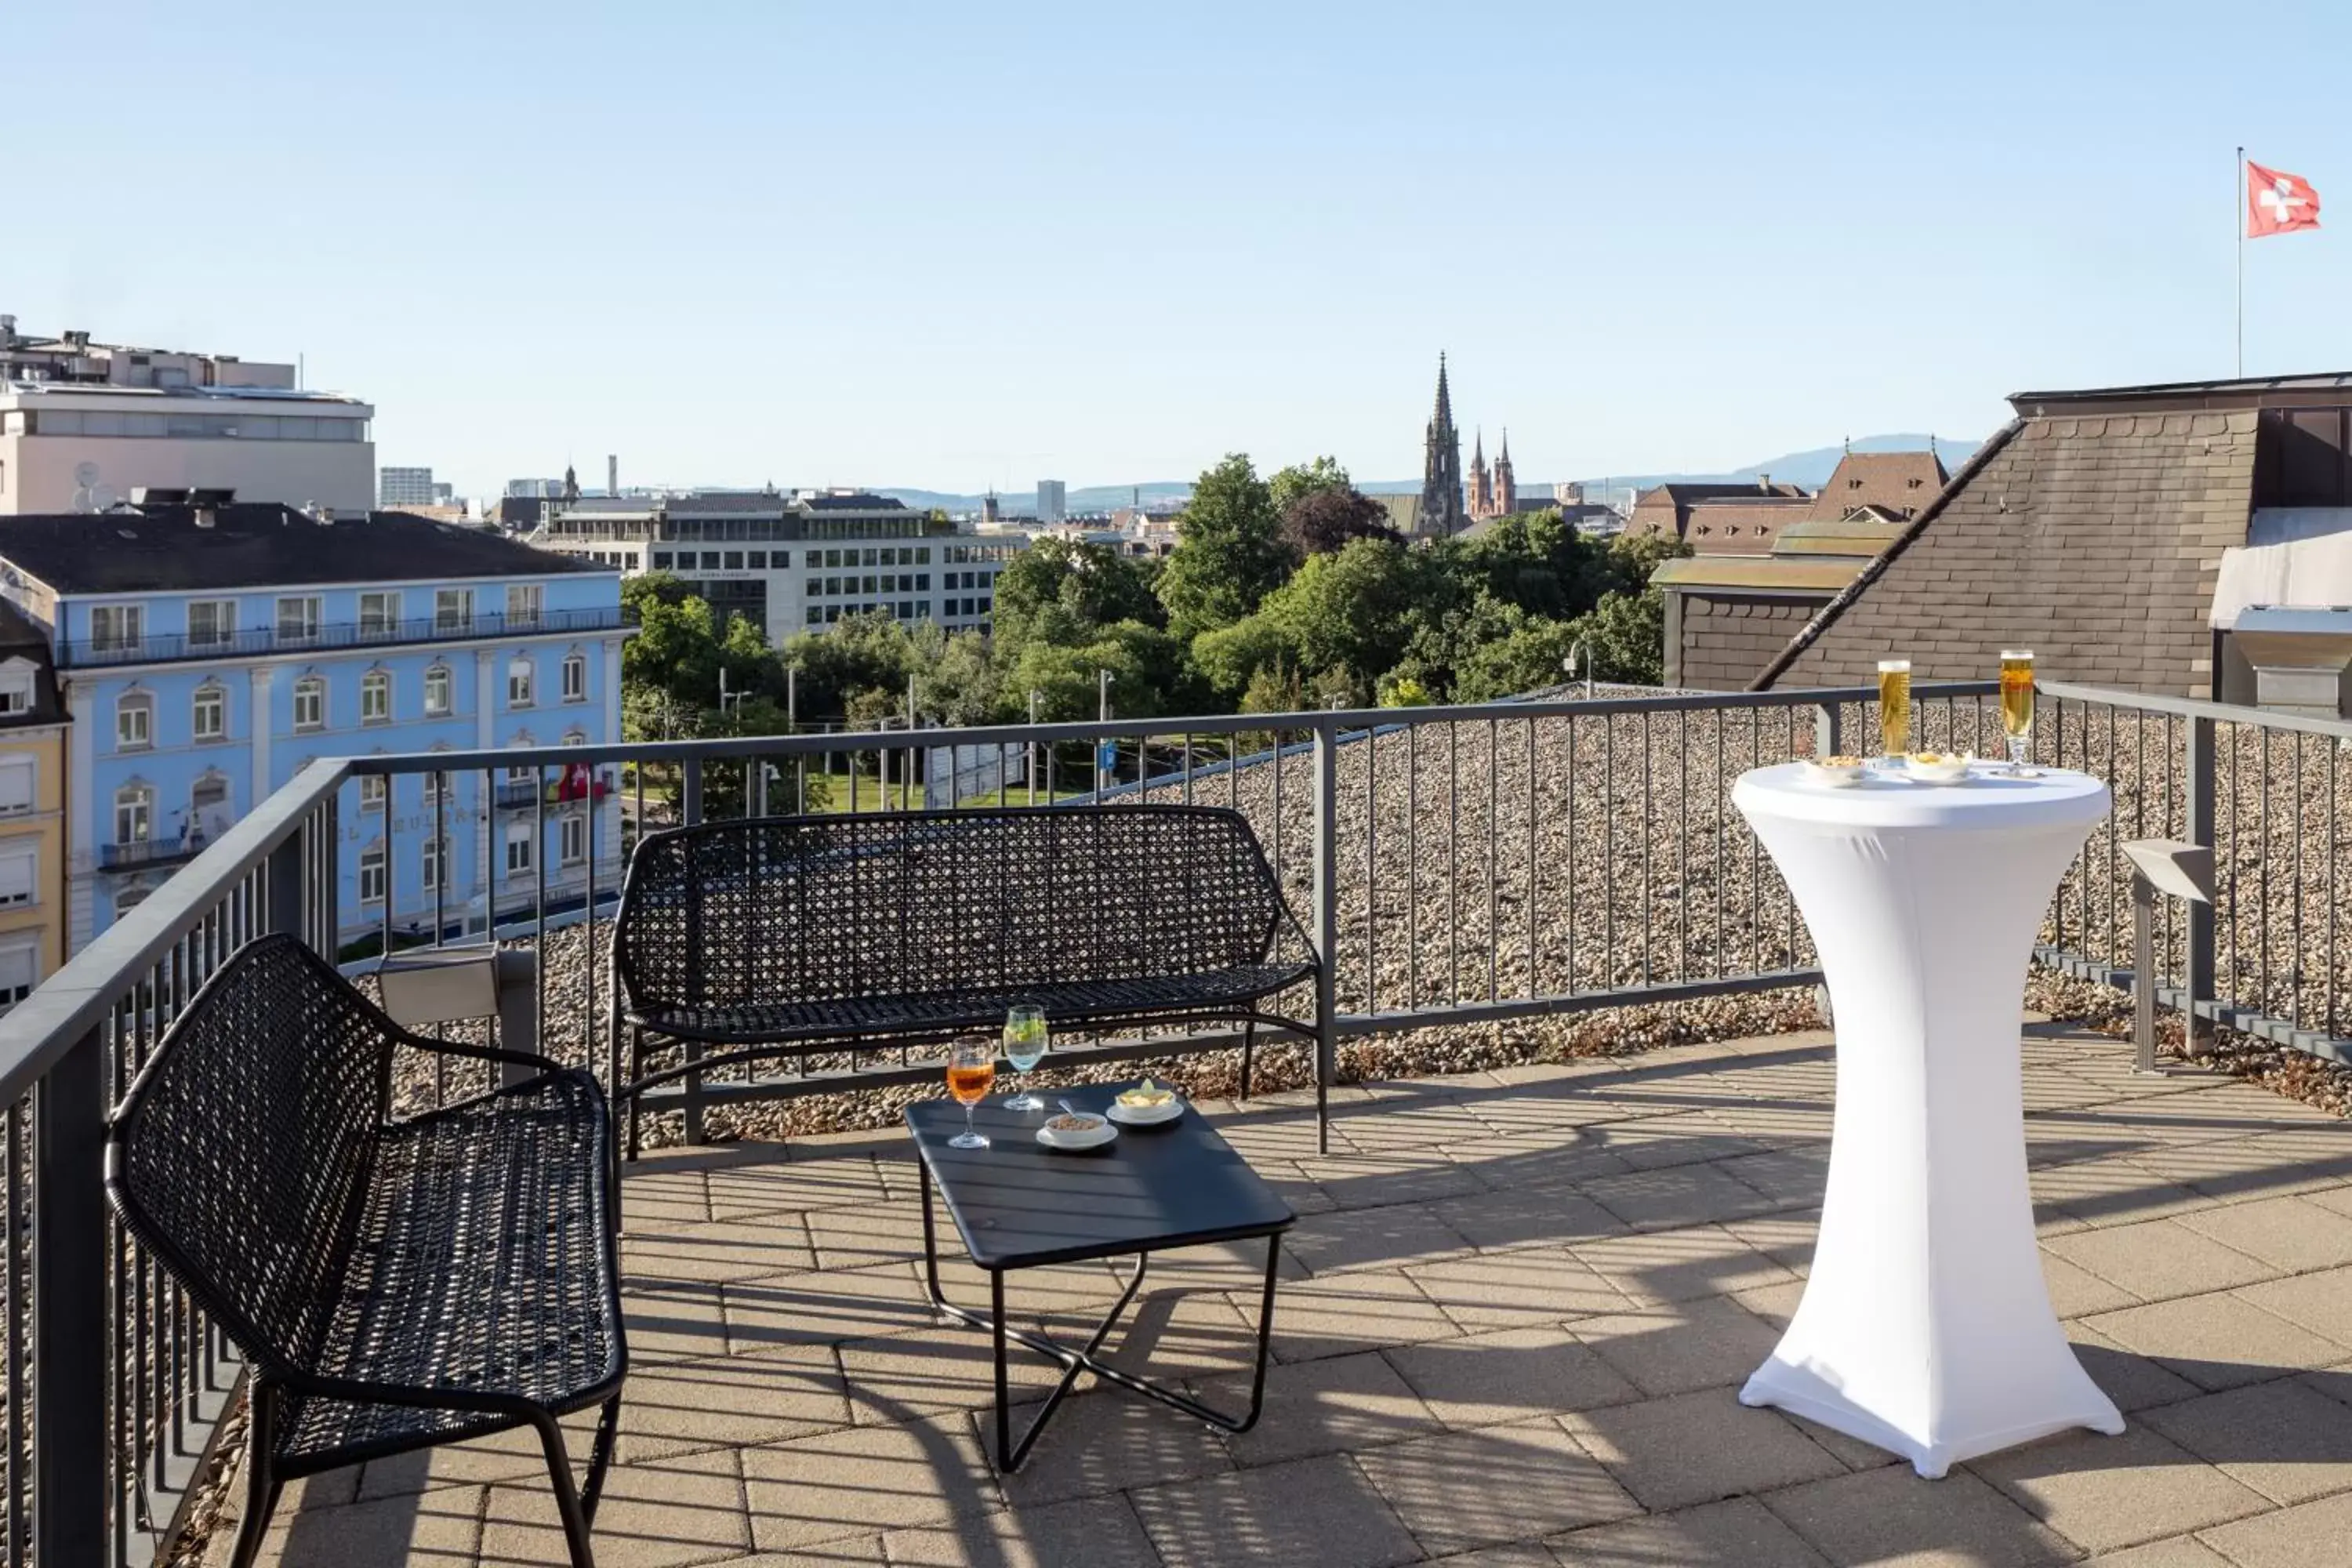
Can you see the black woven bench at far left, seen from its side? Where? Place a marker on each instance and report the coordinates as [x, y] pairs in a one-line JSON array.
[[392, 1282]]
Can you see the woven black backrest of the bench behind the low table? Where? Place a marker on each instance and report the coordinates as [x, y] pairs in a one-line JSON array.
[[942, 902]]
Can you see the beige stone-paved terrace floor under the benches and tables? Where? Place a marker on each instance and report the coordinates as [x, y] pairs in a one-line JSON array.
[[1511, 1334]]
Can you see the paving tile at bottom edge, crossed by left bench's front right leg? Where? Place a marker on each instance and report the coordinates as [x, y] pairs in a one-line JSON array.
[[662, 1515]]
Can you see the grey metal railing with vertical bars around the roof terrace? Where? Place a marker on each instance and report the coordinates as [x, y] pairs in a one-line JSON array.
[[1455, 866]]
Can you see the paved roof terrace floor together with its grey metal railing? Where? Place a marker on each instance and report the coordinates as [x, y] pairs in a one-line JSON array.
[[1577, 1160]]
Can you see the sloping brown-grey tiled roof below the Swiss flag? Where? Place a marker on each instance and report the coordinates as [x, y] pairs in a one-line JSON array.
[[2085, 537]]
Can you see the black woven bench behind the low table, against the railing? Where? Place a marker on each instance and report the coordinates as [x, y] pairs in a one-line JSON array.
[[827, 934]]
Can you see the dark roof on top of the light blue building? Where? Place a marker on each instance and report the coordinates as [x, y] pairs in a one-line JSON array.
[[161, 549]]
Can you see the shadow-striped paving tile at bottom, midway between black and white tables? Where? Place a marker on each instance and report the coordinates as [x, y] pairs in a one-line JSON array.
[[1497, 1485]]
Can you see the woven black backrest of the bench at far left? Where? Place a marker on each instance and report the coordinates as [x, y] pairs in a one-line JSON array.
[[246, 1141]]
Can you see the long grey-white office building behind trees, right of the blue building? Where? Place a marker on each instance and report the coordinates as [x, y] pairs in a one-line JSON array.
[[794, 561]]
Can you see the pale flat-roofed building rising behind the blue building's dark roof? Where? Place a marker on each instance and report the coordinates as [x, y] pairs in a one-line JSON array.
[[86, 427]]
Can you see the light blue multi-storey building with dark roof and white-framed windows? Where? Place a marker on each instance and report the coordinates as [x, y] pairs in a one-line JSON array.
[[208, 652]]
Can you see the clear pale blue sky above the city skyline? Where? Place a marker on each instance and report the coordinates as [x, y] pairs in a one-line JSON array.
[[963, 246]]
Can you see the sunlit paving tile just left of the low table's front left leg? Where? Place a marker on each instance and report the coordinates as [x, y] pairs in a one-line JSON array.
[[864, 1480]]
